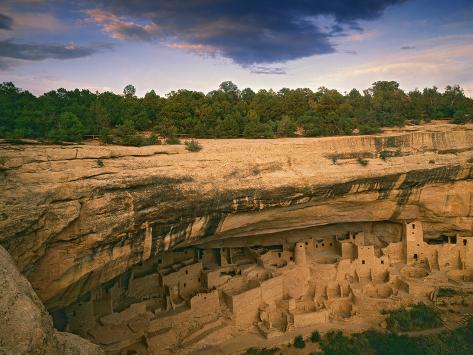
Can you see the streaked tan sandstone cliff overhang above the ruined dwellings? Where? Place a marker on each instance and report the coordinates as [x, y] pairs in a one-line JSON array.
[[74, 217]]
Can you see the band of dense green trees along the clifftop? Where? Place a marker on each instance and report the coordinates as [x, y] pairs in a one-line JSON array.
[[228, 112]]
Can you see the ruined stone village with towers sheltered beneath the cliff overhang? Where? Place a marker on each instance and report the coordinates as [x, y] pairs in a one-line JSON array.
[[203, 293]]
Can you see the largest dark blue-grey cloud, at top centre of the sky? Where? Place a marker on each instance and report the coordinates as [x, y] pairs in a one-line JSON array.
[[250, 31]]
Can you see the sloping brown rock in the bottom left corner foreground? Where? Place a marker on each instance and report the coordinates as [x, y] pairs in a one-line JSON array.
[[25, 325]]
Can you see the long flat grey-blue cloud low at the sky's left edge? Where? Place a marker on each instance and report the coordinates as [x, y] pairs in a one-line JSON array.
[[10, 51]]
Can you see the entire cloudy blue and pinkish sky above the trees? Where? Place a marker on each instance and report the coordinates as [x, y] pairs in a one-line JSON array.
[[166, 45]]
